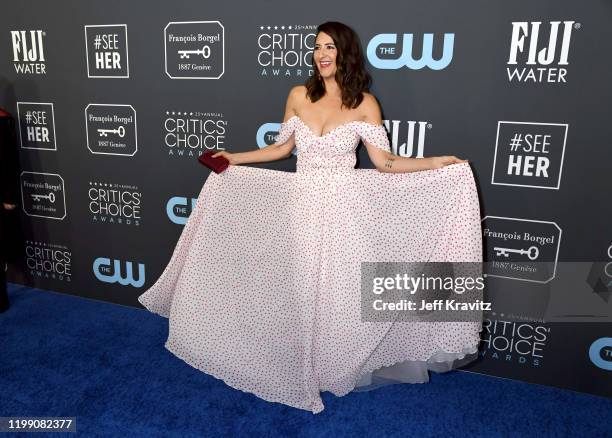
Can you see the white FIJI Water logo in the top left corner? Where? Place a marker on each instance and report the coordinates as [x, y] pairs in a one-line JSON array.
[[29, 52]]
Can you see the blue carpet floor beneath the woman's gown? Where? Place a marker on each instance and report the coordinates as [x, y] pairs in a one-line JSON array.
[[106, 365]]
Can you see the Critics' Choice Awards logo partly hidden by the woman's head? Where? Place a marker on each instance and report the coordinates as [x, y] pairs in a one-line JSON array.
[[286, 50]]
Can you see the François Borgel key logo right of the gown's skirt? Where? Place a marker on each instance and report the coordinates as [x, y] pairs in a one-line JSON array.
[[521, 249]]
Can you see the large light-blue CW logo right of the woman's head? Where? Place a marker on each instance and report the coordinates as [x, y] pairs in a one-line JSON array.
[[383, 52]]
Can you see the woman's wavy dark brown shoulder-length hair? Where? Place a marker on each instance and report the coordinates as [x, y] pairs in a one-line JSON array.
[[351, 74]]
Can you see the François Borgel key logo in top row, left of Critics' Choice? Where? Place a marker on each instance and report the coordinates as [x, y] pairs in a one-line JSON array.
[[194, 49]]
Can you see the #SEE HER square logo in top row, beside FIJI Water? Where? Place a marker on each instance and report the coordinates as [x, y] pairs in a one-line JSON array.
[[107, 51]]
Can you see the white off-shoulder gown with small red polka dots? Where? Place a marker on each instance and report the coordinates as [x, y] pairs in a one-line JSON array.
[[263, 287]]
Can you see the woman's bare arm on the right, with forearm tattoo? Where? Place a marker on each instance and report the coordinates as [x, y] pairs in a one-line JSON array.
[[387, 161]]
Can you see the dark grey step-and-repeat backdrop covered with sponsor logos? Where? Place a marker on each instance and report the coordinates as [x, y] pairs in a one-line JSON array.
[[114, 101]]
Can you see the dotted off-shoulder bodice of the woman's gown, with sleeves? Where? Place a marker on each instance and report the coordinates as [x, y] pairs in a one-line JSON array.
[[334, 149]]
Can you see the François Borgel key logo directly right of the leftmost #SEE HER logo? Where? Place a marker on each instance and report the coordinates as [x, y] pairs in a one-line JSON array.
[[111, 129]]
